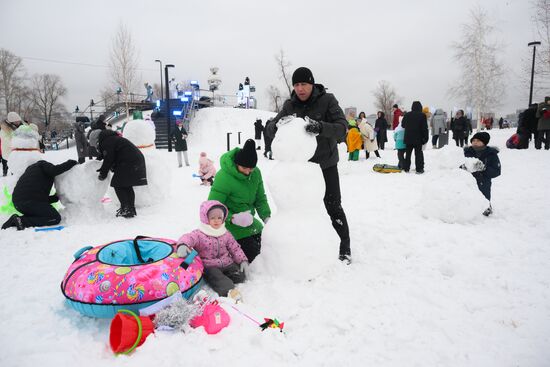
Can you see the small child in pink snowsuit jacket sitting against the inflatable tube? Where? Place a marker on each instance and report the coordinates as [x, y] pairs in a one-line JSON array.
[[225, 263]]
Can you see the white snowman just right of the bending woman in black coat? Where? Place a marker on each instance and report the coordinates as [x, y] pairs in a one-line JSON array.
[[142, 134]]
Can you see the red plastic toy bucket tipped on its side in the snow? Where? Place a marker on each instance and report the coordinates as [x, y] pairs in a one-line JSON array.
[[129, 331]]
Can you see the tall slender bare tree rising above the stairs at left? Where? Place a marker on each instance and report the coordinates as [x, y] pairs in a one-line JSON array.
[[124, 63]]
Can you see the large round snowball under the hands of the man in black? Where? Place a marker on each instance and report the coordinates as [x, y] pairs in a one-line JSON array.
[[292, 143]]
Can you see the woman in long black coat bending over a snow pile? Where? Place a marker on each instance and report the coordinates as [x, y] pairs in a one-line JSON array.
[[128, 164]]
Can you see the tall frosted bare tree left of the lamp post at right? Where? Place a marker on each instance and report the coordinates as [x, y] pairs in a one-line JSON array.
[[481, 84]]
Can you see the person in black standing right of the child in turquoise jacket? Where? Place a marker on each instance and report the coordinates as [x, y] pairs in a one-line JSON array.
[[415, 124]]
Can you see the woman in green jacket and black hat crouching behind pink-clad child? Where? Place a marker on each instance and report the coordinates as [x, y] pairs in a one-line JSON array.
[[239, 186]]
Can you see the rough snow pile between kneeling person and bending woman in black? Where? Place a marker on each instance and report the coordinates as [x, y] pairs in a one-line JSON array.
[[80, 191]]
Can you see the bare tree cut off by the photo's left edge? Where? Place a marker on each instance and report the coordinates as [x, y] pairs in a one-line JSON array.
[[11, 79]]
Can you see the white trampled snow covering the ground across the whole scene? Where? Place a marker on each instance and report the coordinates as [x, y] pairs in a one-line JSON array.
[[433, 282]]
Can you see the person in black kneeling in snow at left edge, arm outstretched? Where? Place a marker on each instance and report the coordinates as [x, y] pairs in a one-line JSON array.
[[31, 196]]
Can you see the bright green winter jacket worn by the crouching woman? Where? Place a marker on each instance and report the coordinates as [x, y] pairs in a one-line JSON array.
[[240, 193]]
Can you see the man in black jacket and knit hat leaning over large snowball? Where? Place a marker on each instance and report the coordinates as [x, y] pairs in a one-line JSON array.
[[327, 122]]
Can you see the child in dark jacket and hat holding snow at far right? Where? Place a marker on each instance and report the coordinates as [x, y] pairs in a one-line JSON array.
[[488, 167]]
